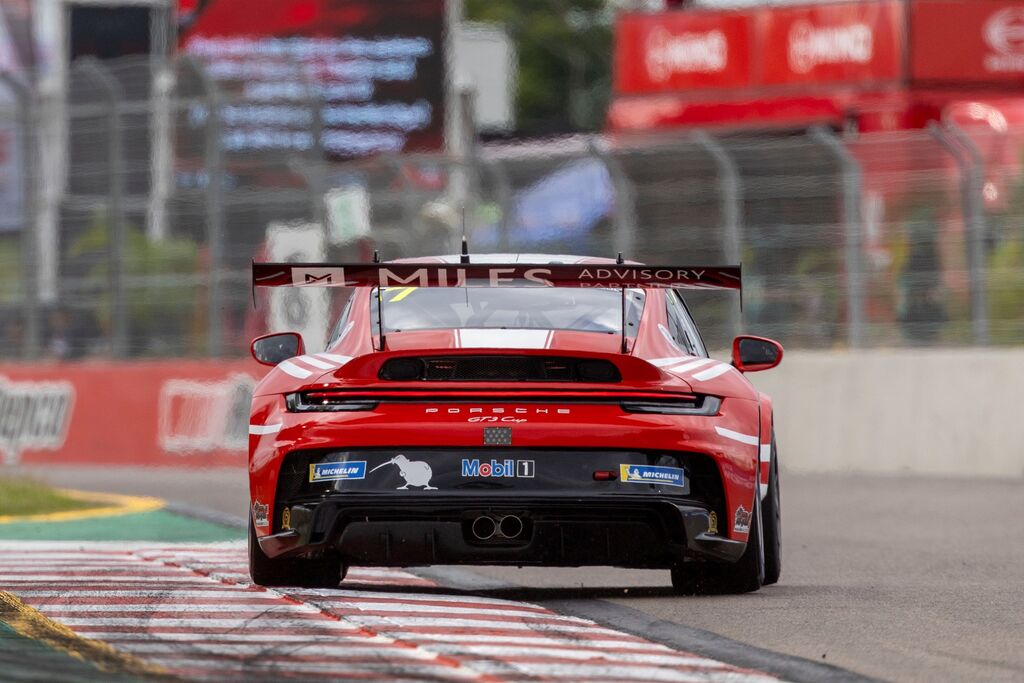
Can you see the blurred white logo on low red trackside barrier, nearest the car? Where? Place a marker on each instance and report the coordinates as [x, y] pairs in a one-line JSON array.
[[198, 417]]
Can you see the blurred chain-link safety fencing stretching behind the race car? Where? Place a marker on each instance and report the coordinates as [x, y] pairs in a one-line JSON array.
[[172, 186]]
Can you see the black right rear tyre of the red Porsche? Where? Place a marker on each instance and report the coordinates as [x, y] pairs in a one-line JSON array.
[[746, 576]]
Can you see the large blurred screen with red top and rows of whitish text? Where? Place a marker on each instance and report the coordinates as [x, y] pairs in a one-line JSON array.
[[350, 77]]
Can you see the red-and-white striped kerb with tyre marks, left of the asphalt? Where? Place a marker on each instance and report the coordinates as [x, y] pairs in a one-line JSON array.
[[188, 612]]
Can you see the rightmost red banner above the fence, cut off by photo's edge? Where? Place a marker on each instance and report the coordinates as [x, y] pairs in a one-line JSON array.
[[967, 42]]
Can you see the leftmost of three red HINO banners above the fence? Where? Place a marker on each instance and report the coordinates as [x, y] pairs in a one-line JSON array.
[[682, 52]]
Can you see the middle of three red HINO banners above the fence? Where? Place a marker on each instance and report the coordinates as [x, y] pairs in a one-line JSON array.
[[854, 42]]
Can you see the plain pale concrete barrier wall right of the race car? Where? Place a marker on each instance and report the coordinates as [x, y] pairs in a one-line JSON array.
[[949, 412]]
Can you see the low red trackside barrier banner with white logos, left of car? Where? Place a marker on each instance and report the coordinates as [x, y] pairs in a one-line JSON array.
[[162, 413]]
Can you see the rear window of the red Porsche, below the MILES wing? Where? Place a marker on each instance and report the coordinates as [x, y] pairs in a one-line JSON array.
[[410, 309]]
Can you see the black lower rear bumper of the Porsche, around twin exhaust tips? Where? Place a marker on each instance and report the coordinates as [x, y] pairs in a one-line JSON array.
[[400, 531]]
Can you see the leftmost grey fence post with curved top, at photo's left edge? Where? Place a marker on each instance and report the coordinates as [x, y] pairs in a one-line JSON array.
[[30, 272]]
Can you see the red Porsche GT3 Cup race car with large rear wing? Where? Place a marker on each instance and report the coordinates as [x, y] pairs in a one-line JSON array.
[[513, 410]]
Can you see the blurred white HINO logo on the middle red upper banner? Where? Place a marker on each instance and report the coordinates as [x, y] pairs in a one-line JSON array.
[[812, 47]]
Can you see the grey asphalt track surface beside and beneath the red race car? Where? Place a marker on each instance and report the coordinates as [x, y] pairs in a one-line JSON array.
[[901, 579]]
